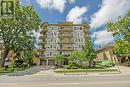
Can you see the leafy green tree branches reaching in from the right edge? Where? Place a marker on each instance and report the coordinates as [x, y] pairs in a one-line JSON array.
[[121, 31]]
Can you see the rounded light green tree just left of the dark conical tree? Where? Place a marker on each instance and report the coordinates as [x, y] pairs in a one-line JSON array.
[[76, 57]]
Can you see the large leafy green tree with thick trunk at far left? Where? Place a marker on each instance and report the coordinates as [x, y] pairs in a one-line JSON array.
[[17, 33]]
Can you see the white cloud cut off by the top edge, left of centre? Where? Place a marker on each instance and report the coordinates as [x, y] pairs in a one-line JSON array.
[[58, 5]]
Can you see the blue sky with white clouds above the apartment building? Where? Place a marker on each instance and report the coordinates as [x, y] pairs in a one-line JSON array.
[[95, 12]]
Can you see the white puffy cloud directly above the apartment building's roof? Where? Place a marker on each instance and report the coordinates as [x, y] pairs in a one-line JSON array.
[[76, 14]]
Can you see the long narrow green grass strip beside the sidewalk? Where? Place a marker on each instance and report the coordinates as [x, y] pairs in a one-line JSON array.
[[84, 70]]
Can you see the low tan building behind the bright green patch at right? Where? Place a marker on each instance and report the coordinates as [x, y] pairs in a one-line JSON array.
[[107, 53]]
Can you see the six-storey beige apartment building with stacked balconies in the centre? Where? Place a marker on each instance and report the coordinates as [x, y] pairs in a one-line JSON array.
[[62, 38]]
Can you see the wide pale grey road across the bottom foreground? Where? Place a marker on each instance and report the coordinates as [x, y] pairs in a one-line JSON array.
[[66, 81]]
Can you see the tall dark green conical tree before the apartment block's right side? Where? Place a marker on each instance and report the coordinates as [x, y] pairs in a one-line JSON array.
[[89, 52]]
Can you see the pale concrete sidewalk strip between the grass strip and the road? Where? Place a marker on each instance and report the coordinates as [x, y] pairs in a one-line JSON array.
[[122, 70]]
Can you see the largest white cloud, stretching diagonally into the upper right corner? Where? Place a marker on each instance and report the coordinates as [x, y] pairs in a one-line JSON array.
[[110, 11]]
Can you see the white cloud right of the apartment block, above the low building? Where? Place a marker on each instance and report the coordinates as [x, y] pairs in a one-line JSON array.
[[102, 37]]
